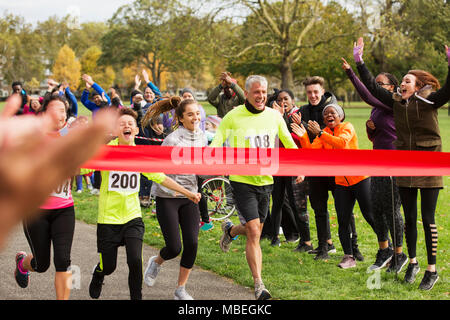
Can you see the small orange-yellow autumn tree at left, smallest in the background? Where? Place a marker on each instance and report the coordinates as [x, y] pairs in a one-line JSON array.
[[67, 67]]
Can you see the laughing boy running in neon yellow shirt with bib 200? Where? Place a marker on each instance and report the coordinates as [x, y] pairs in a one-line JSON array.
[[120, 218]]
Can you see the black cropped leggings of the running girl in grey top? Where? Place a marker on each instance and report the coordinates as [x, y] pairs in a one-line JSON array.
[[173, 214]]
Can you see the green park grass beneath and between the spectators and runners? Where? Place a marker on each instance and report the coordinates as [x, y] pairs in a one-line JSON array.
[[290, 275]]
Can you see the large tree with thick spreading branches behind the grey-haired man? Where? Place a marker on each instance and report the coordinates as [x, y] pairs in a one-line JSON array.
[[276, 34]]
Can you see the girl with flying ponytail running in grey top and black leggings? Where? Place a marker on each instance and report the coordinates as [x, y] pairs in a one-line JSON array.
[[173, 210]]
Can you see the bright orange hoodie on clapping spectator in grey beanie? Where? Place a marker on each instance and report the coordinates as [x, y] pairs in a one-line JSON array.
[[342, 137]]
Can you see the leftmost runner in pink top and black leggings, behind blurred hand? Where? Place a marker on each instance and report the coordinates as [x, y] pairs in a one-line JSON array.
[[55, 223]]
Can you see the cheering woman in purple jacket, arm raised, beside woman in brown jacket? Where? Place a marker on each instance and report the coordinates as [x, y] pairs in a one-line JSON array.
[[385, 197]]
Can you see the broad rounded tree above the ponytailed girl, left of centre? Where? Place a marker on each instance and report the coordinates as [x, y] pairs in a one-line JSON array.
[[162, 36]]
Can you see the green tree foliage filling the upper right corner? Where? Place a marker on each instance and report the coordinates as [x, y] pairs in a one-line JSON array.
[[404, 38]]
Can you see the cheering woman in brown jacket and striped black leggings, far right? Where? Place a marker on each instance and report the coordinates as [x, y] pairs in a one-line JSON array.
[[415, 109]]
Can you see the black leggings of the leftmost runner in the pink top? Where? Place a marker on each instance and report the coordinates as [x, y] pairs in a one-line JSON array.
[[57, 226]]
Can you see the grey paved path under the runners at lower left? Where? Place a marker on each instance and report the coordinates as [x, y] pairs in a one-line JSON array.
[[202, 285]]
